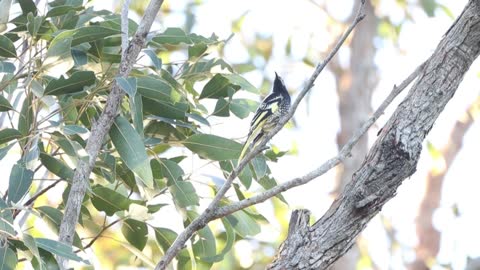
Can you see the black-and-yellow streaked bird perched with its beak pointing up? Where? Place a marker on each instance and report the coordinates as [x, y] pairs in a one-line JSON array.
[[272, 108]]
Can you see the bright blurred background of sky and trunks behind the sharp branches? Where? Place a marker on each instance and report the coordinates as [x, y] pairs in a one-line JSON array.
[[433, 221]]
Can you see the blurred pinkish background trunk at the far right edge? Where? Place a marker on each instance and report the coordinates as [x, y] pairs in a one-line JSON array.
[[429, 237]]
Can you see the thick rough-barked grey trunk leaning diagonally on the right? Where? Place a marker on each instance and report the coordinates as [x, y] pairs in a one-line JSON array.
[[395, 154]]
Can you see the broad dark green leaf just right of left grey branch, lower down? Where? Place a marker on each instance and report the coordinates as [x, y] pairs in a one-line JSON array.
[[108, 200]]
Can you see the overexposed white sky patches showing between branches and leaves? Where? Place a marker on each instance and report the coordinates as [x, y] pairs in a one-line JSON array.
[[315, 133]]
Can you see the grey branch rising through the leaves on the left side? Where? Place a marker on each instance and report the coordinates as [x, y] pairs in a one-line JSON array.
[[100, 129]]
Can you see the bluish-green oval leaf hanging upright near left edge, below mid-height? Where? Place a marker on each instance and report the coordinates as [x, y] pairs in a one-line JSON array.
[[19, 184]]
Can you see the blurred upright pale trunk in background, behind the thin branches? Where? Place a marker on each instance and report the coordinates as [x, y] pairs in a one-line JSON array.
[[354, 88]]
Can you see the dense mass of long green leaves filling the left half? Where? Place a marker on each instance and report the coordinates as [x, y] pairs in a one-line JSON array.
[[56, 69]]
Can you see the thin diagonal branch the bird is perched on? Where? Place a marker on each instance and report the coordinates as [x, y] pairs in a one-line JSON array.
[[208, 215]]
